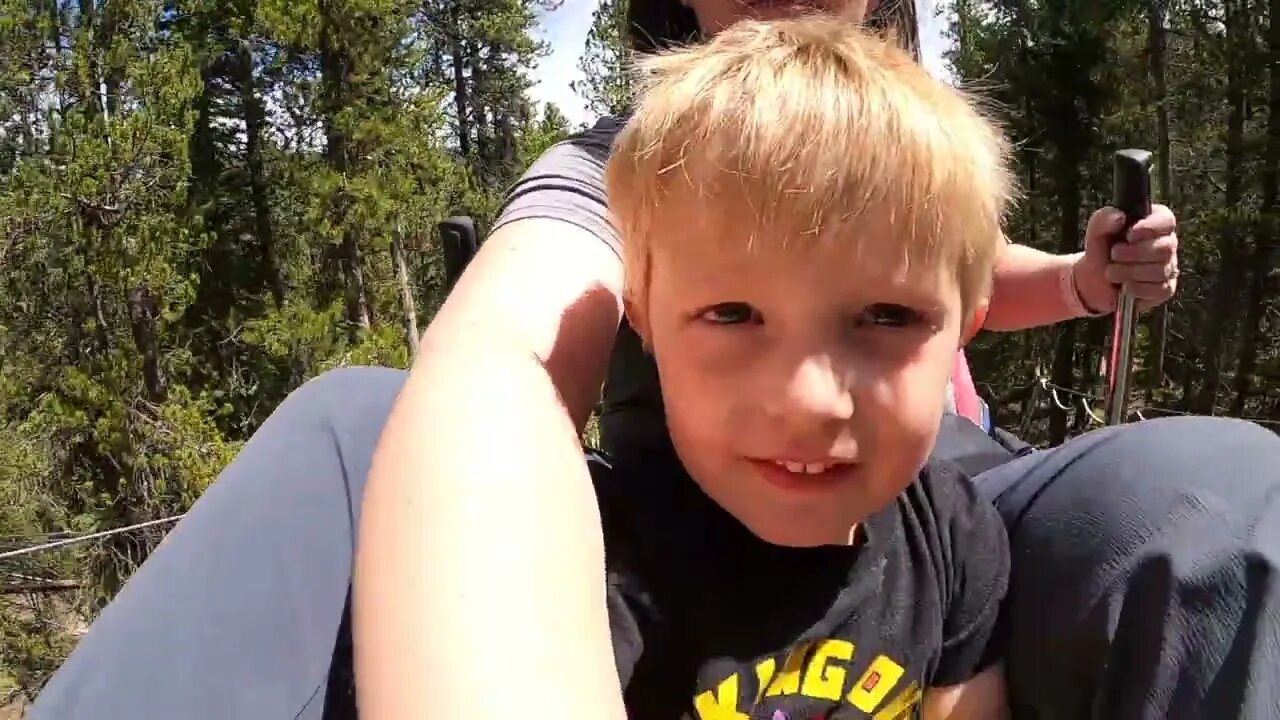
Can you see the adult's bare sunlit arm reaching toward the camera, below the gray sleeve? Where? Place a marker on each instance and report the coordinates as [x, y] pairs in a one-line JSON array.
[[479, 586]]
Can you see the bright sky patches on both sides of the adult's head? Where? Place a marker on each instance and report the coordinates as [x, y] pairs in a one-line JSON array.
[[565, 30]]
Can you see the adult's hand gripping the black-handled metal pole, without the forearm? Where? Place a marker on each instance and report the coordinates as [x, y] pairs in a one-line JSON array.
[[1148, 262]]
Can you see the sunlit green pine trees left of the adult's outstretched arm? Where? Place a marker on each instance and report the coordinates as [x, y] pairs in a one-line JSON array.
[[198, 211]]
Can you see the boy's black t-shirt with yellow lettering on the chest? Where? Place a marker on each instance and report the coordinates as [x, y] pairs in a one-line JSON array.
[[712, 623]]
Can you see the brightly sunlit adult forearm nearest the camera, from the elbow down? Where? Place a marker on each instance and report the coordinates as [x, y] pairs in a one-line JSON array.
[[481, 572]]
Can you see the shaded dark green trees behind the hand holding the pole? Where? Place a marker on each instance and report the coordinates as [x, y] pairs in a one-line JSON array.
[[1191, 83]]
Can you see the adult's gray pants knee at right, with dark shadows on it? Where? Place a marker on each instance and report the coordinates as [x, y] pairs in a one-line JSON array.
[[1146, 573]]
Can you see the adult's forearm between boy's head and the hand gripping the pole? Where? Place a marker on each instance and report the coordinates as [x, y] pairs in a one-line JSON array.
[[1030, 290]]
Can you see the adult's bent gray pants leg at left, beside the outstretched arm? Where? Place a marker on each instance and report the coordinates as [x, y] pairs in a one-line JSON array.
[[240, 613]]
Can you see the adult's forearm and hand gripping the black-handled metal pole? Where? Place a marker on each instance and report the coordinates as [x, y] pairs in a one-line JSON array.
[[1035, 289]]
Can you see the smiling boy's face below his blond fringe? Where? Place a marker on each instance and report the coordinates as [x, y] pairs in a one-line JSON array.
[[803, 389]]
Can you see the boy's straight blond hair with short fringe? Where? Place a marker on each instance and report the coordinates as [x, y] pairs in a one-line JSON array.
[[785, 131]]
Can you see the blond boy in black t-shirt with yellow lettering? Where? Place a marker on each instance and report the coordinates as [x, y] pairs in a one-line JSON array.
[[811, 226]]
